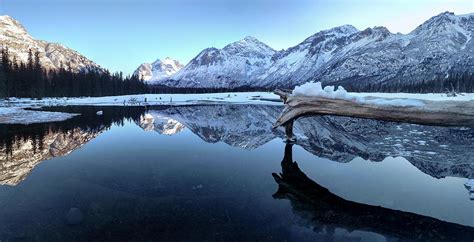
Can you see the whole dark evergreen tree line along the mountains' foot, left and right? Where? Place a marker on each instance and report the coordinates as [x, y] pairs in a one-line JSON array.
[[30, 79]]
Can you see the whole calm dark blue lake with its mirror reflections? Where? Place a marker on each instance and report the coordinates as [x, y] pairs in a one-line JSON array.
[[219, 172]]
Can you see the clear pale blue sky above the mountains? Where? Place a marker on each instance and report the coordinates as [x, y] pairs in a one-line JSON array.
[[121, 34]]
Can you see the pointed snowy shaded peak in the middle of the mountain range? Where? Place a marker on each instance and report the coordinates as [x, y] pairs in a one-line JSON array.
[[237, 64]]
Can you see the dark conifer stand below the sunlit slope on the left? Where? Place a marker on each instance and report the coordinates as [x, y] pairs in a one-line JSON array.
[[31, 80]]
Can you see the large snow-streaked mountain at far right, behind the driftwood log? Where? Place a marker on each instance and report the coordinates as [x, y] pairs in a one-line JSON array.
[[438, 46]]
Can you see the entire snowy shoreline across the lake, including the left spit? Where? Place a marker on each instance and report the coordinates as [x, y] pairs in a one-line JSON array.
[[12, 110]]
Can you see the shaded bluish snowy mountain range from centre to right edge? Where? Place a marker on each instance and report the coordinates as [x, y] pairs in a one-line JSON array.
[[340, 56]]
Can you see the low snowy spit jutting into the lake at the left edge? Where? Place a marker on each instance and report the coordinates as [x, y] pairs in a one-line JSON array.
[[20, 116]]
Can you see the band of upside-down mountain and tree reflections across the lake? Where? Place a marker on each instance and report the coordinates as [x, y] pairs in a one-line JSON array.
[[436, 151]]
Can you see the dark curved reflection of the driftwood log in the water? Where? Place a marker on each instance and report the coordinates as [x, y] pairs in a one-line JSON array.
[[327, 211]]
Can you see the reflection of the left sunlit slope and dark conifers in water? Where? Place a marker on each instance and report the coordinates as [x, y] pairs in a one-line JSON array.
[[22, 147]]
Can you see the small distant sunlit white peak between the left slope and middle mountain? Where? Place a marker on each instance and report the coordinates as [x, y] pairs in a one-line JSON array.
[[158, 70]]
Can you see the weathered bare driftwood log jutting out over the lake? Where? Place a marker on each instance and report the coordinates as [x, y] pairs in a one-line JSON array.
[[446, 113]]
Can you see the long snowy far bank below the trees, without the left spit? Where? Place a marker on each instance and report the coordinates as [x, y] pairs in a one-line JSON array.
[[205, 98]]
